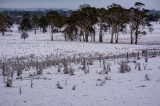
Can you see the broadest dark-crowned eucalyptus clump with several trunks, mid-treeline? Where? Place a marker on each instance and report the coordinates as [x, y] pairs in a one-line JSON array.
[[80, 23]]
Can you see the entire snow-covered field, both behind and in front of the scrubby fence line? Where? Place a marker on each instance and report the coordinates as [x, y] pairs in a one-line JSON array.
[[91, 89]]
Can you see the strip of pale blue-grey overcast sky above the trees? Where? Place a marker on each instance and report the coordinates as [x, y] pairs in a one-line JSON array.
[[74, 4]]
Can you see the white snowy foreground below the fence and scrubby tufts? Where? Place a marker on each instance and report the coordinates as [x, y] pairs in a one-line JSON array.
[[123, 89]]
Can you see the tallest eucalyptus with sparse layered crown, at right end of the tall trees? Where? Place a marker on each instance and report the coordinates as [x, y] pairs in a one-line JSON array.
[[138, 19]]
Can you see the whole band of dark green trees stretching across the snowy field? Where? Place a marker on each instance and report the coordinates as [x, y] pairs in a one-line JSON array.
[[82, 23]]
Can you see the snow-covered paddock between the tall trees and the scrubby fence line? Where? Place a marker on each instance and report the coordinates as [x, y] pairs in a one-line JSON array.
[[40, 44]]
